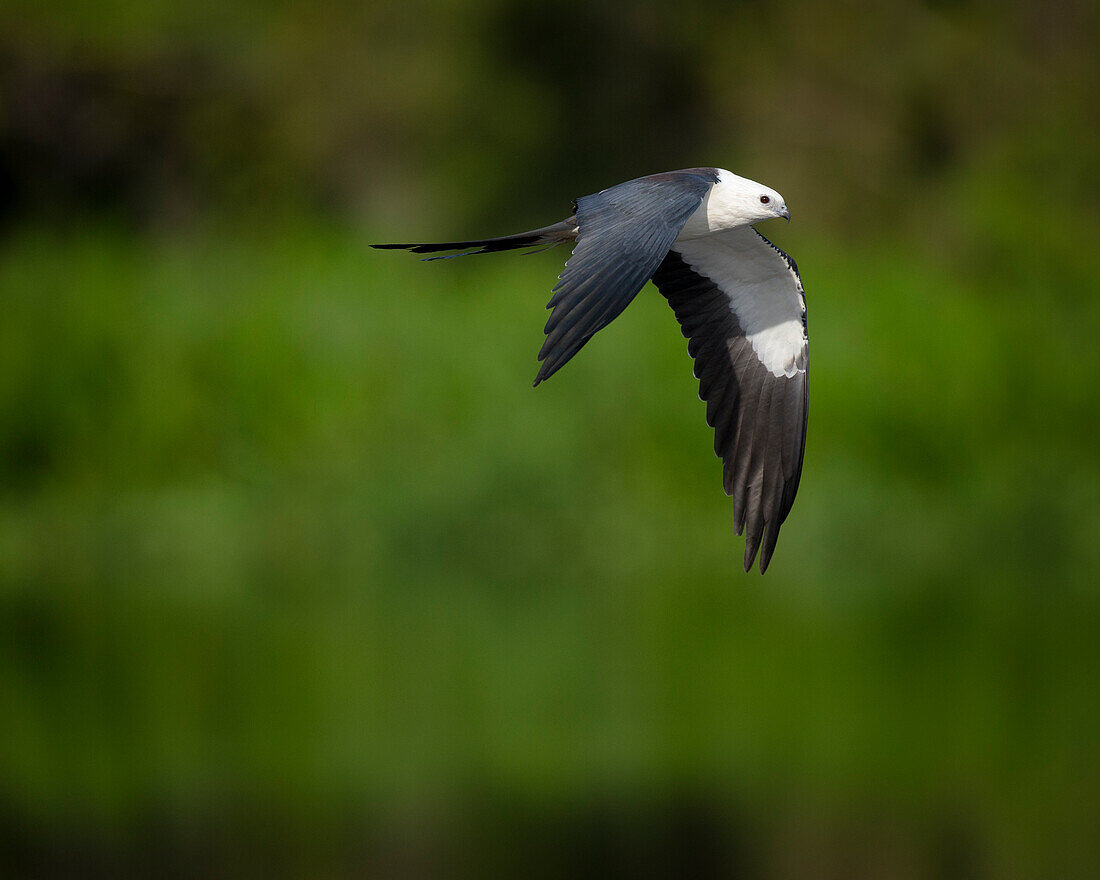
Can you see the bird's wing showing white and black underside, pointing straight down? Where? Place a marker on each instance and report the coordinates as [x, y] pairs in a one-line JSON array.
[[741, 304]]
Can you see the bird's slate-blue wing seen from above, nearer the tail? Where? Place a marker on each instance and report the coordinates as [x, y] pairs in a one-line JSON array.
[[623, 235]]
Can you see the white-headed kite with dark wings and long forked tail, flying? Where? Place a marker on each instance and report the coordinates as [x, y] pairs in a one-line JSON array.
[[739, 300]]
